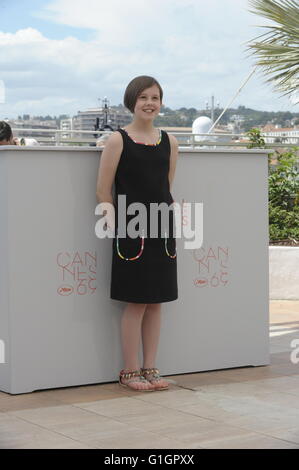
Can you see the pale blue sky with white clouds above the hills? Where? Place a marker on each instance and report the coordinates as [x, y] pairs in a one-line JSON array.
[[60, 56]]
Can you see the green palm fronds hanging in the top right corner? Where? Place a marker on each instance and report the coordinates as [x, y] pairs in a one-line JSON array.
[[279, 51]]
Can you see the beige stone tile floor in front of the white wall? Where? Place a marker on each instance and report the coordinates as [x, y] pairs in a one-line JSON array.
[[249, 407]]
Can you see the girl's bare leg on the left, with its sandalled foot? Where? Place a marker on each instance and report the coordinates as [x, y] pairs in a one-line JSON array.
[[131, 336]]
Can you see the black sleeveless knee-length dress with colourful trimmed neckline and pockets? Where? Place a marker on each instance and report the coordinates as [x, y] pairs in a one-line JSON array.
[[144, 270]]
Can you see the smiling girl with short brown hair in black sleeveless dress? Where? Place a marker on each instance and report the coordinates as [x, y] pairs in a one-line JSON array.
[[141, 160]]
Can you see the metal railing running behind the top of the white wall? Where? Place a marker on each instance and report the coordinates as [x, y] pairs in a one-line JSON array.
[[58, 137]]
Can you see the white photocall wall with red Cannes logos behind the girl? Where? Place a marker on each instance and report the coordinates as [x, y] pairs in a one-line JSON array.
[[58, 325]]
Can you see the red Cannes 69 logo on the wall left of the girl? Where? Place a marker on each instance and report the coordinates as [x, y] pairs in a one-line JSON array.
[[77, 272]]
